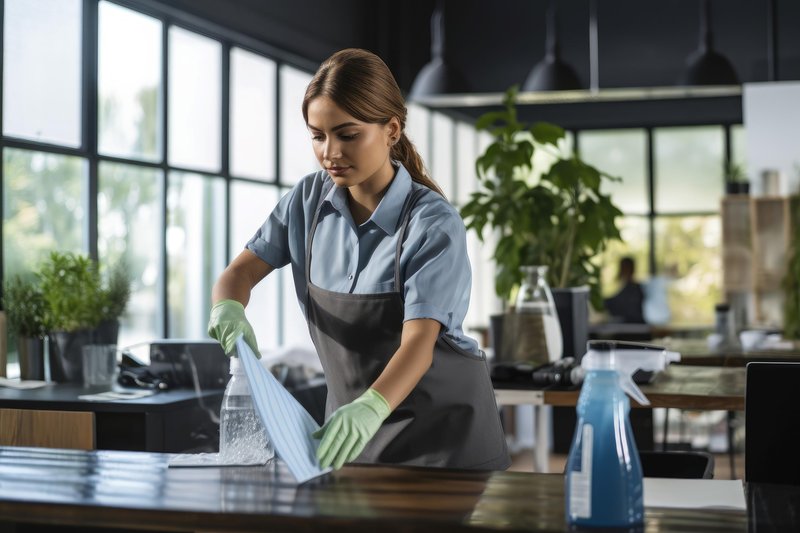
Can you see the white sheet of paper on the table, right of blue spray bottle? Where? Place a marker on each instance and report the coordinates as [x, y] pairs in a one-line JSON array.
[[694, 493]]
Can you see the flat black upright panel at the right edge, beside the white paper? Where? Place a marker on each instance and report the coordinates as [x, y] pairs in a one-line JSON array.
[[772, 423]]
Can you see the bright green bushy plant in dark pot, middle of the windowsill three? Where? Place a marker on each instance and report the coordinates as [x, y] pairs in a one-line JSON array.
[[71, 286]]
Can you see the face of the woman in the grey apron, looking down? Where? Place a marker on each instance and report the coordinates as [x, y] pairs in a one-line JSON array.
[[354, 153]]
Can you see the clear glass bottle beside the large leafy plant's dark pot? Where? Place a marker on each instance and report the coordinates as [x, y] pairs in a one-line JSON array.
[[539, 330]]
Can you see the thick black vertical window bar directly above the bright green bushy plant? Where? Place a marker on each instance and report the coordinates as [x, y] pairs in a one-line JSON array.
[[89, 116]]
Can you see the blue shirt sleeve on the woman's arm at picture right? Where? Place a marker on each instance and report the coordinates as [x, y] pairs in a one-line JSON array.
[[437, 274]]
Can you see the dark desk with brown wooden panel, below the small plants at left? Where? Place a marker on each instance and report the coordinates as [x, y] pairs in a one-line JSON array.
[[167, 421]]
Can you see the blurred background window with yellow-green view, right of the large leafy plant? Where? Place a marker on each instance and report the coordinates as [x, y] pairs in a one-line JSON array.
[[687, 184]]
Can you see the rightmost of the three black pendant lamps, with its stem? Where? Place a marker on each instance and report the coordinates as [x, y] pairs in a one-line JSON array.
[[706, 66]]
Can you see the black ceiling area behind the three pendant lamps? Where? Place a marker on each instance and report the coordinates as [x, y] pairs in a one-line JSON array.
[[495, 43]]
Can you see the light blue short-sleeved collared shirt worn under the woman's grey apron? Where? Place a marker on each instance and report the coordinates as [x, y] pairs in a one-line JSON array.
[[360, 258]]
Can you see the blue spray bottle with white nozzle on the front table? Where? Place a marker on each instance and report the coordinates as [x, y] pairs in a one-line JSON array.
[[603, 485]]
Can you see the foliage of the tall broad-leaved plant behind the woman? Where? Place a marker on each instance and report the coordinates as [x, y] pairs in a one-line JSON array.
[[561, 220]]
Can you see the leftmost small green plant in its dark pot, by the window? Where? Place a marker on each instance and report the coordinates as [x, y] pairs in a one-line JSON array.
[[25, 309]]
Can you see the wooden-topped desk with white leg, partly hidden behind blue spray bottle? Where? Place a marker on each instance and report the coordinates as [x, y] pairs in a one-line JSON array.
[[683, 387]]
